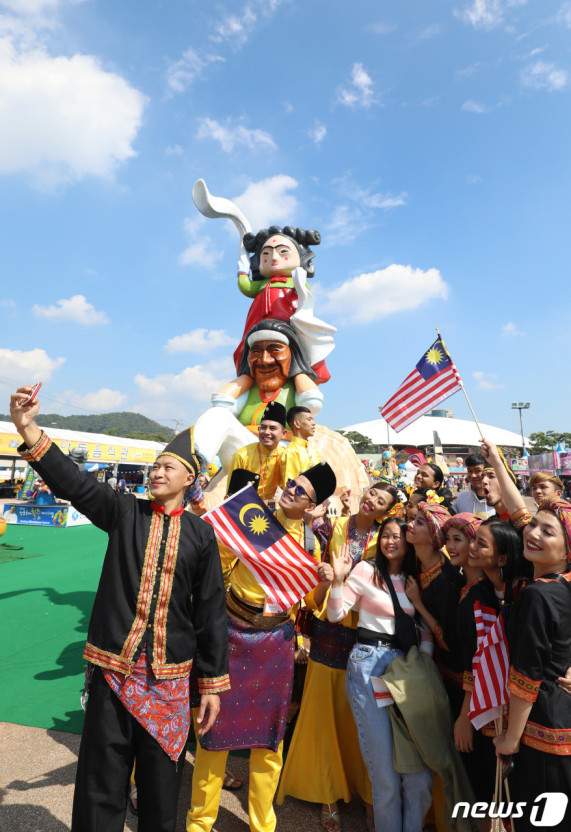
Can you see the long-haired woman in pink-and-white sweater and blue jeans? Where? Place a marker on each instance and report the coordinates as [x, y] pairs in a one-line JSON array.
[[365, 590]]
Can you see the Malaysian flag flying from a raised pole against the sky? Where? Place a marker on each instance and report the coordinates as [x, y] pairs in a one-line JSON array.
[[434, 379]]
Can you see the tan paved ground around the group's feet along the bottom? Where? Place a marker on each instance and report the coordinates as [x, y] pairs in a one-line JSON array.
[[37, 770]]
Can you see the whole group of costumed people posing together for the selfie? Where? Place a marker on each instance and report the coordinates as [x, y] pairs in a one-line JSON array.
[[386, 642]]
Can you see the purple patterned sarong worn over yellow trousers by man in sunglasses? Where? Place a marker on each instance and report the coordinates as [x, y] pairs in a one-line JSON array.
[[253, 712]]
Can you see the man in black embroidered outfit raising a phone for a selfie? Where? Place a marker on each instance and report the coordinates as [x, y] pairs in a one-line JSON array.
[[159, 608]]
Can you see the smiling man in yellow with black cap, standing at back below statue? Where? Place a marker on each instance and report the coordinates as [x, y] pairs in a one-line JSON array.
[[265, 456]]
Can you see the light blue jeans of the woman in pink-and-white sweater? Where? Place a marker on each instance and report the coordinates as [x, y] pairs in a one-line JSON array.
[[392, 813]]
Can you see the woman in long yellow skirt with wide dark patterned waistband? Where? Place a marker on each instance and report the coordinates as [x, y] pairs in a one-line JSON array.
[[324, 763]]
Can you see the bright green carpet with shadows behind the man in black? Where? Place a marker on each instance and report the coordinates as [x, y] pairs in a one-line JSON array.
[[46, 604]]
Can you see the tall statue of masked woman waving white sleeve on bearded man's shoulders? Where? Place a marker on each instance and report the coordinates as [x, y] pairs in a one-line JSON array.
[[281, 355]]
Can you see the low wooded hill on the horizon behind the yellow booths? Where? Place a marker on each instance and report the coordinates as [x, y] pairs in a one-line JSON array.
[[115, 424]]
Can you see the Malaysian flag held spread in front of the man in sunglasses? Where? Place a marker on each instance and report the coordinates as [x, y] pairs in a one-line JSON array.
[[279, 563]]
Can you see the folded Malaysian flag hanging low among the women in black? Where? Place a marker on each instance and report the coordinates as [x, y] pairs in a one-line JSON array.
[[490, 667]]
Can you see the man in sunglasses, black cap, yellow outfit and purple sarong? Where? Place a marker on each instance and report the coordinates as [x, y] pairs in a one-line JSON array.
[[261, 668]]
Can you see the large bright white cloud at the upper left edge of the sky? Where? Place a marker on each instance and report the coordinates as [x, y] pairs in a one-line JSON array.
[[63, 118]]
